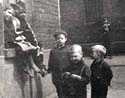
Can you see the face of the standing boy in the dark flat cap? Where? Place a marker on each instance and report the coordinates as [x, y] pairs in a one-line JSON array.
[[61, 40]]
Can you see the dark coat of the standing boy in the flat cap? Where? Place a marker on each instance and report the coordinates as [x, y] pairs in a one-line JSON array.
[[58, 60]]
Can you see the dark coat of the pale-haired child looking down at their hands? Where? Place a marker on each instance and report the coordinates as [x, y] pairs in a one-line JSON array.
[[76, 88]]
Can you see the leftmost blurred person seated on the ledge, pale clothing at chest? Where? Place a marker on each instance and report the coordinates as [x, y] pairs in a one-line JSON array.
[[10, 25]]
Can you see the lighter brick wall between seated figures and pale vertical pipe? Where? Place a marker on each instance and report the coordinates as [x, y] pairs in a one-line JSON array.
[[45, 20]]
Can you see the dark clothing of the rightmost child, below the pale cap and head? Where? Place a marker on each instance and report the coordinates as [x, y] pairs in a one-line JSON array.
[[101, 75]]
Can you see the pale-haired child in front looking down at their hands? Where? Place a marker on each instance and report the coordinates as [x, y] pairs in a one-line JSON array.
[[77, 75]]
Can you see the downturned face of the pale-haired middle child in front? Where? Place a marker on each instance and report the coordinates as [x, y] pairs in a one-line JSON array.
[[75, 57]]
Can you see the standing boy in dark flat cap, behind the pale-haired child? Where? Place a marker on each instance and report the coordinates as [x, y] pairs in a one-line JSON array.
[[58, 60]]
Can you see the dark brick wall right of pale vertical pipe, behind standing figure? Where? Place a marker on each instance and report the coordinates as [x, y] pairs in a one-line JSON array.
[[82, 19]]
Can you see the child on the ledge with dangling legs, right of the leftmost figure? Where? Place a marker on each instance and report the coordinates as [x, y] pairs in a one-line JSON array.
[[25, 41]]
